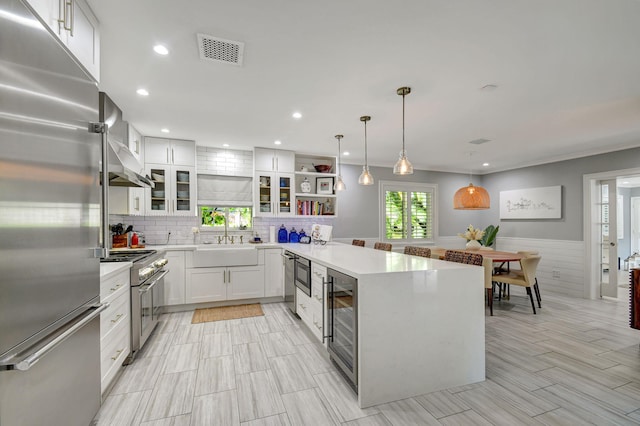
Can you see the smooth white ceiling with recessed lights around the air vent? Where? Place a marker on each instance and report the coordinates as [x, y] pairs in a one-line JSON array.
[[567, 71]]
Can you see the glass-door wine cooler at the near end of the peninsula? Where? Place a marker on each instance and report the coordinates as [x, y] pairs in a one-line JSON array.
[[342, 309]]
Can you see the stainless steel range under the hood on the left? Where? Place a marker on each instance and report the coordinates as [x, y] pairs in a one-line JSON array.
[[147, 292]]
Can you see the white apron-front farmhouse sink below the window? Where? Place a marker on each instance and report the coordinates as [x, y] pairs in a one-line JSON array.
[[211, 255]]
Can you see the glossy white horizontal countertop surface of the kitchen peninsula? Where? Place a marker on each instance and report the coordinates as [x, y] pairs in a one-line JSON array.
[[360, 261]]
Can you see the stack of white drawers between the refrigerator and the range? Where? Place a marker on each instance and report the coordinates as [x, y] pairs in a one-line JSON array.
[[115, 326]]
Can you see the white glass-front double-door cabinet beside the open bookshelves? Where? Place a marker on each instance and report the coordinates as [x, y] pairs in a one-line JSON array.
[[274, 193]]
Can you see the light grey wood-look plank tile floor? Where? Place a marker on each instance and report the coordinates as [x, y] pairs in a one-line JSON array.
[[577, 362]]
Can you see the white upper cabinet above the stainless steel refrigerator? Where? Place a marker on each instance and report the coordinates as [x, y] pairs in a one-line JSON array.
[[75, 25]]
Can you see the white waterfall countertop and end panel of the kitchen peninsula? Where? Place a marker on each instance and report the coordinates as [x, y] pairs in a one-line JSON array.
[[420, 322]]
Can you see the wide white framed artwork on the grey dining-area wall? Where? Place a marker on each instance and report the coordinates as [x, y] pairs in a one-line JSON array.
[[531, 203]]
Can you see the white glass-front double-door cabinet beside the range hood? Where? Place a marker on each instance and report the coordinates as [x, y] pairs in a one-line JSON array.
[[174, 191]]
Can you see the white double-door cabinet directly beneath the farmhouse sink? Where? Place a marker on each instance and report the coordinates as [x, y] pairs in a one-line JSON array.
[[224, 283]]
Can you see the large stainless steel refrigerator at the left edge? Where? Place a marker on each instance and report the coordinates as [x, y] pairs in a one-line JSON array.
[[49, 229]]
